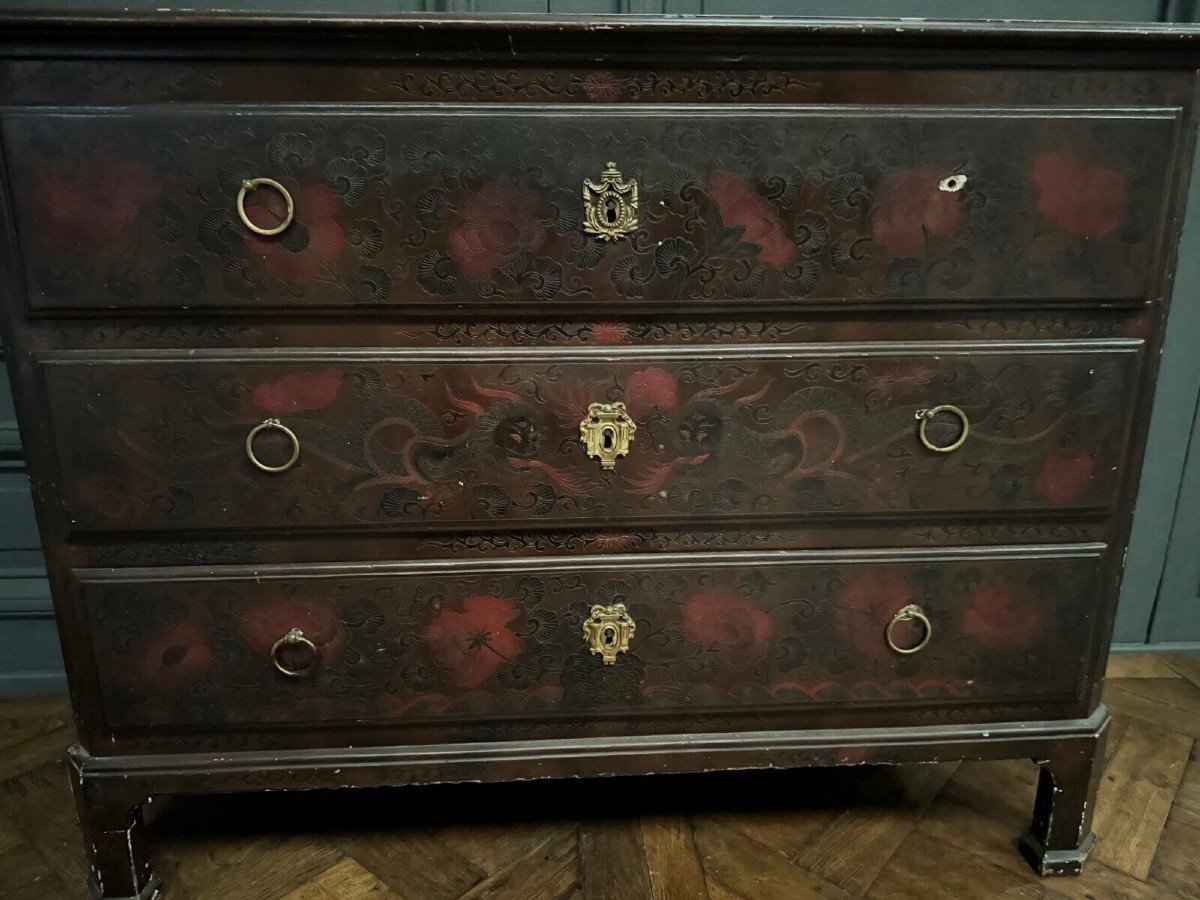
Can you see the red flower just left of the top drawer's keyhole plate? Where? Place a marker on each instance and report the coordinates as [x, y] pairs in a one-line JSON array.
[[497, 225]]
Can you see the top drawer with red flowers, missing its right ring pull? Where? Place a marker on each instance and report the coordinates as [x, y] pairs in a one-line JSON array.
[[425, 208]]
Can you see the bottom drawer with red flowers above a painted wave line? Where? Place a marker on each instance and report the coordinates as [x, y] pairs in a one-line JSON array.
[[746, 633]]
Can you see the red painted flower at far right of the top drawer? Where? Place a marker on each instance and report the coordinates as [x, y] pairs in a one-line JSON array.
[[1081, 199]]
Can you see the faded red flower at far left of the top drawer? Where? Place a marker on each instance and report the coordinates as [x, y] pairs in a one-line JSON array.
[[88, 206]]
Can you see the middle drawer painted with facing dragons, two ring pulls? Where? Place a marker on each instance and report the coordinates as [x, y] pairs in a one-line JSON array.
[[413, 440]]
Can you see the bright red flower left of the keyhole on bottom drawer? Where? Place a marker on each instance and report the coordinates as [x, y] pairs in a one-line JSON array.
[[473, 644]]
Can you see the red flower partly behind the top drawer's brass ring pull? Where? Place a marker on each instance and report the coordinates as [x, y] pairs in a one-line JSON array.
[[310, 243]]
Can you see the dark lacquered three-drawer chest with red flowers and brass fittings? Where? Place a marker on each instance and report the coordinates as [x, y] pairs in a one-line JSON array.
[[417, 401]]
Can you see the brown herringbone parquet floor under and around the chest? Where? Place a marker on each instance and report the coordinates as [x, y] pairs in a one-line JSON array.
[[916, 832]]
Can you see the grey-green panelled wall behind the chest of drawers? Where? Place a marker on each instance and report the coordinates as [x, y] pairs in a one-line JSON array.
[[1161, 595]]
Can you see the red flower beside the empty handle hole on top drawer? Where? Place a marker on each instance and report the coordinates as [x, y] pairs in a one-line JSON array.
[[909, 206]]
